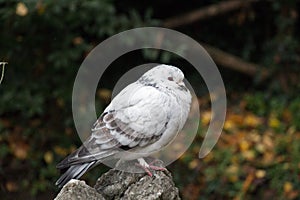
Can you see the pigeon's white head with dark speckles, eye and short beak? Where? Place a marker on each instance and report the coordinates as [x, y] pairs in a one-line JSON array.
[[166, 75]]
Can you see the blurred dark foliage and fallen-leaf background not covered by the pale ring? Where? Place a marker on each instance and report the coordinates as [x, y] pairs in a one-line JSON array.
[[255, 45]]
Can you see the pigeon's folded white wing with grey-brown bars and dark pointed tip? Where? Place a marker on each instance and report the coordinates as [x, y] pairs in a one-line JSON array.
[[138, 116]]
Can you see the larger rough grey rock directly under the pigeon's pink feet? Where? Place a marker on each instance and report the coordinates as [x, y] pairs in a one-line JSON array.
[[123, 185]]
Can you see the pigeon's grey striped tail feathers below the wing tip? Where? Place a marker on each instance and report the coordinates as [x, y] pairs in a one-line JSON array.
[[74, 172]]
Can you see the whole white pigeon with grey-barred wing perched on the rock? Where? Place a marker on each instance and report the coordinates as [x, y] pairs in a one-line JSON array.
[[141, 120]]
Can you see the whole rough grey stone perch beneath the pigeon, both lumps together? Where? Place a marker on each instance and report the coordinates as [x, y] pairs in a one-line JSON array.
[[115, 185]]
